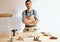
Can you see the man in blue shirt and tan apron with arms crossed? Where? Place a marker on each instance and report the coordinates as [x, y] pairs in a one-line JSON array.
[[29, 17]]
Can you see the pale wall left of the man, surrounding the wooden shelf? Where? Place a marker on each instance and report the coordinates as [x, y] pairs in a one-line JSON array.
[[14, 7]]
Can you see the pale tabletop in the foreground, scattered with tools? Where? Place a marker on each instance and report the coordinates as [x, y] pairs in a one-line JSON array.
[[4, 38]]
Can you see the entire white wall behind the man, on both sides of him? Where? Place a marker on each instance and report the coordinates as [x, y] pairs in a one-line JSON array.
[[48, 11]]
